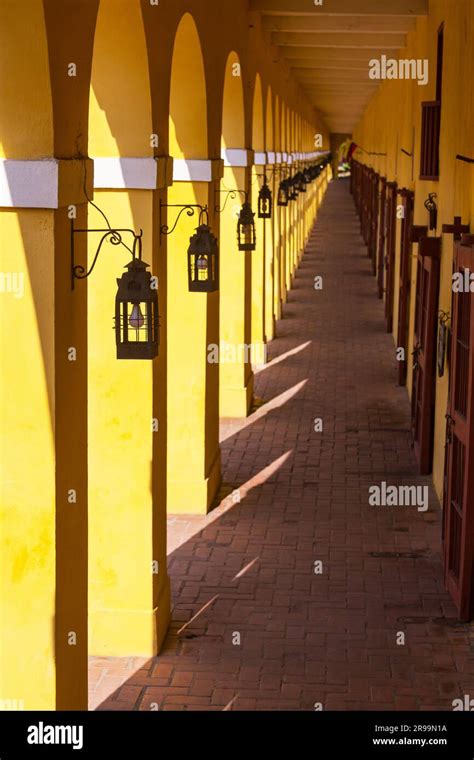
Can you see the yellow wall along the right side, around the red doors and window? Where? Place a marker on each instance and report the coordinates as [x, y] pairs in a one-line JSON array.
[[379, 131]]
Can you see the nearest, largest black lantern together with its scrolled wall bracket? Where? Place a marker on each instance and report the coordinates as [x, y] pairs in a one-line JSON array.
[[136, 301]]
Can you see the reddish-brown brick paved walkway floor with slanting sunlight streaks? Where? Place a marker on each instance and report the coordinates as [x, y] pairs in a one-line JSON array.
[[247, 569]]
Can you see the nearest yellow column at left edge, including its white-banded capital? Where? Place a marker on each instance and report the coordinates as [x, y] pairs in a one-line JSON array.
[[43, 450]]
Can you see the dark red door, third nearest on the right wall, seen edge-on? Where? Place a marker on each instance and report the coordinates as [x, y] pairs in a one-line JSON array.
[[404, 281]]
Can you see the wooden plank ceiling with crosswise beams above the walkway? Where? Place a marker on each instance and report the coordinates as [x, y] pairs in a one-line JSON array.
[[329, 46]]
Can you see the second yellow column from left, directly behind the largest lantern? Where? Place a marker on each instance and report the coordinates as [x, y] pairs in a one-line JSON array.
[[129, 606]]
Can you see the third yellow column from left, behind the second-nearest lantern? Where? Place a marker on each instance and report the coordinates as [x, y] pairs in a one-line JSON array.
[[191, 322]]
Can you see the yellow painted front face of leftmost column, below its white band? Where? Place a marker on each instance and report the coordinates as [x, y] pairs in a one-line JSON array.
[[27, 426]]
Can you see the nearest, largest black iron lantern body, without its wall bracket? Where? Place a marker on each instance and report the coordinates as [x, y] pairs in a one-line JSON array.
[[136, 313]]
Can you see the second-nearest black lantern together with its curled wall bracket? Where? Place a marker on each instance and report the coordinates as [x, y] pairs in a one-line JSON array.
[[203, 251]]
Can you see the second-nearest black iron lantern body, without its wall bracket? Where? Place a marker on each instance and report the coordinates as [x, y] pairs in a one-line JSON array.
[[203, 261]]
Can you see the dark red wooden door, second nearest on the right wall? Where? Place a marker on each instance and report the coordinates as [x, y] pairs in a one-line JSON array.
[[424, 351]]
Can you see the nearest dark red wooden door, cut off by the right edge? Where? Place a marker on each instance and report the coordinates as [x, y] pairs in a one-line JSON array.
[[459, 497]]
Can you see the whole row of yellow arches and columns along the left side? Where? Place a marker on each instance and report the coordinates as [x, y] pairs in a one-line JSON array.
[[133, 105]]
